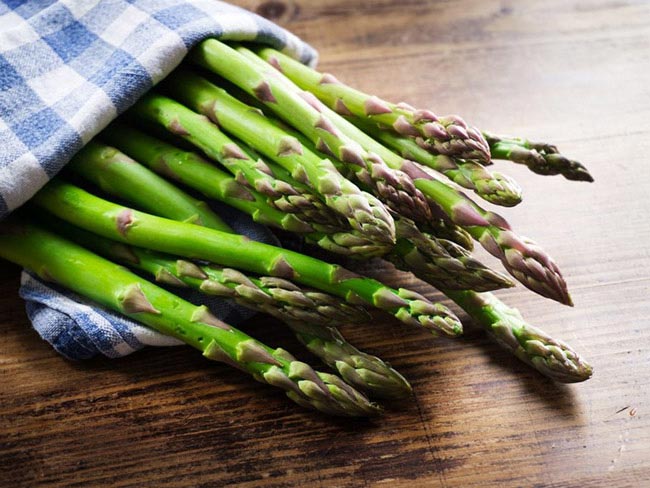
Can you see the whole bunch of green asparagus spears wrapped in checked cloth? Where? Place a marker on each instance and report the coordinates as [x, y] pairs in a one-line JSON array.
[[299, 151]]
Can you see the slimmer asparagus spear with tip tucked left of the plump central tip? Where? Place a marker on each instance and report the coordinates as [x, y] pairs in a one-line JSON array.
[[199, 131]]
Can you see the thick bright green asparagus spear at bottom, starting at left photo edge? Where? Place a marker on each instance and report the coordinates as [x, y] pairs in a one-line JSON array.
[[59, 260]]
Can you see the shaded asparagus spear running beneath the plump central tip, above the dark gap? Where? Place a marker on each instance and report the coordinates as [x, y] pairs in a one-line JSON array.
[[192, 170]]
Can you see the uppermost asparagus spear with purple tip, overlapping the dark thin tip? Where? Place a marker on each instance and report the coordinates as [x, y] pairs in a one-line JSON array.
[[440, 135]]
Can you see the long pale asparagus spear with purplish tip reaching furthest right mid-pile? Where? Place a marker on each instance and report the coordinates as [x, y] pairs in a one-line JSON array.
[[524, 259]]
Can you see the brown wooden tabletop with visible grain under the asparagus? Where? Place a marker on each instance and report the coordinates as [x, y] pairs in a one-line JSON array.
[[574, 72]]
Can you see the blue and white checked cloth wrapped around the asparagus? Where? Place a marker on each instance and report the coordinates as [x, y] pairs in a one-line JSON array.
[[69, 67]]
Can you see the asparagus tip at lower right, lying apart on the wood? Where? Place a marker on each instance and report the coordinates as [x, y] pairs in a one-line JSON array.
[[549, 356]]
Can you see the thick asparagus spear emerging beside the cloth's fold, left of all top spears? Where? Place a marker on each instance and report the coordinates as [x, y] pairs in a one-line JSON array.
[[394, 187]]
